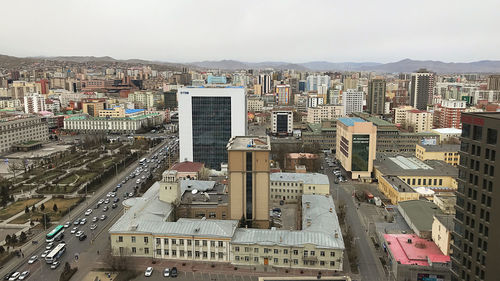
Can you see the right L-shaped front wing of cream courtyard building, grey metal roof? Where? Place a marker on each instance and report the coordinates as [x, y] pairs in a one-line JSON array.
[[319, 245]]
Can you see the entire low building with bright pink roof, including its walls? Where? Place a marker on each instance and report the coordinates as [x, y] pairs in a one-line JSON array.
[[414, 258]]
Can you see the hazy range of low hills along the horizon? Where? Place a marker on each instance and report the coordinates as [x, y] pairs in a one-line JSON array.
[[406, 65]]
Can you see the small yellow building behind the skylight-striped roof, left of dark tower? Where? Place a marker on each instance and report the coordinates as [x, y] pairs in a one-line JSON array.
[[444, 152]]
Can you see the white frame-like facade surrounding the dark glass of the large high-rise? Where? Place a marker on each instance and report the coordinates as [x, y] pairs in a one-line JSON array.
[[184, 98]]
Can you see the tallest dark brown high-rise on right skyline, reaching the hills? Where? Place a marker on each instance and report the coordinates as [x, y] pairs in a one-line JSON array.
[[421, 89]]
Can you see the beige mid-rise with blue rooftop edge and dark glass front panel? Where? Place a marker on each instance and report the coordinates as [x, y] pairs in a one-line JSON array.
[[356, 146]]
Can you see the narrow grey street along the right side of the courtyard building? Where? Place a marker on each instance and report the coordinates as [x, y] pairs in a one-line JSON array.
[[370, 267]]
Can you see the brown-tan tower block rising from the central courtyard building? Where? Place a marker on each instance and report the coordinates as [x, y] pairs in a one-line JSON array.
[[248, 169]]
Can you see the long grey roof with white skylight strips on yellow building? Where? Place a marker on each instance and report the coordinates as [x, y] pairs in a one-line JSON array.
[[410, 166]]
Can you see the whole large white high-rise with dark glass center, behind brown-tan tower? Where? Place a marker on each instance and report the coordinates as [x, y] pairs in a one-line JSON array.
[[208, 118]]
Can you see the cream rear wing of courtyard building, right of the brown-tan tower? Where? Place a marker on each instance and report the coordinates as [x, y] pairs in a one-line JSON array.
[[289, 187]]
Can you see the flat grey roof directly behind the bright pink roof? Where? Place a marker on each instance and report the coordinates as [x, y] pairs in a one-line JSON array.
[[420, 213]]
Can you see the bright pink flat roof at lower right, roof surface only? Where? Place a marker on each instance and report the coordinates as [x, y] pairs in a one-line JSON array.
[[411, 250]]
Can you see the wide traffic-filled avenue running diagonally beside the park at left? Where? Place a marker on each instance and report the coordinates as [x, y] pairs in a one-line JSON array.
[[98, 239]]
